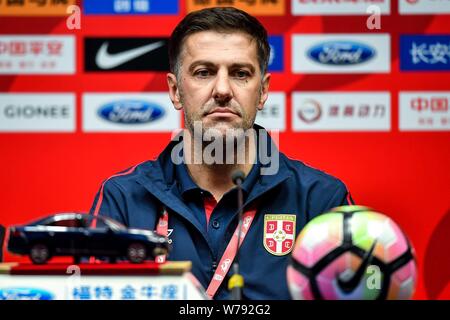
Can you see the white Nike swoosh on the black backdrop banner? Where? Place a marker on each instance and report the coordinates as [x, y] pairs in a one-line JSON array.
[[105, 60]]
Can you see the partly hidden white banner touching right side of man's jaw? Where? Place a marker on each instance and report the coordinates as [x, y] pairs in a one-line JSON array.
[[273, 116]]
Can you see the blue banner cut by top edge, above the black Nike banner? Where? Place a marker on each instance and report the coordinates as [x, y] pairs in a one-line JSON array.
[[155, 7]]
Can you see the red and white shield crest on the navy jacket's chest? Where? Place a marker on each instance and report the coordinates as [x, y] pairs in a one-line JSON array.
[[279, 233]]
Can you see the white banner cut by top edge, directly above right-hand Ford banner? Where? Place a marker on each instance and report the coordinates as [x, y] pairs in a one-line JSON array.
[[339, 7]]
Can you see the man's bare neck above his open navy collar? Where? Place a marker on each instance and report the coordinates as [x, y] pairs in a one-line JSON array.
[[216, 178]]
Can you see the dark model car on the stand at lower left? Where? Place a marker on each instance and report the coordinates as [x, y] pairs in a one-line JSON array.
[[82, 235]]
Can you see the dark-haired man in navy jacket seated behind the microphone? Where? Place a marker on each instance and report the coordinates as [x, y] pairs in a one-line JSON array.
[[219, 80]]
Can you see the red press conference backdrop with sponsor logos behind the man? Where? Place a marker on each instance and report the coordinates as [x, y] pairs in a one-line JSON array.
[[366, 100]]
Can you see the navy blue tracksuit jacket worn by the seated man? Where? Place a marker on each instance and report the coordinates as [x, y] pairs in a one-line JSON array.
[[135, 197]]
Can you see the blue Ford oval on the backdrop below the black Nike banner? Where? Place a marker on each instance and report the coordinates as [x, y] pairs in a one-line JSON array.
[[131, 111]]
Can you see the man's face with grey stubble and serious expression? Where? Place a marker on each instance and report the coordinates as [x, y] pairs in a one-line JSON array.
[[219, 81]]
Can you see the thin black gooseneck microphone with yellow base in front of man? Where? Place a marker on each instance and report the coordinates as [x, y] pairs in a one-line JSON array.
[[236, 282]]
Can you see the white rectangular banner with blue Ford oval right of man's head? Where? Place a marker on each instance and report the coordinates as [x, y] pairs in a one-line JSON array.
[[341, 53]]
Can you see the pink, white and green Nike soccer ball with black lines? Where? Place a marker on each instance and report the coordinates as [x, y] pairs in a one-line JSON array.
[[352, 253]]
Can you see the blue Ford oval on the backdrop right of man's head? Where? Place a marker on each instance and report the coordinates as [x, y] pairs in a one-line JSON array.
[[341, 53]]
